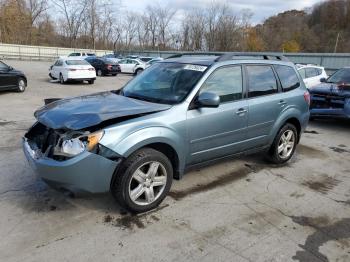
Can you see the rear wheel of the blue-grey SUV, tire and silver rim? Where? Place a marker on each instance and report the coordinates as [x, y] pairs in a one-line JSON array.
[[284, 143]]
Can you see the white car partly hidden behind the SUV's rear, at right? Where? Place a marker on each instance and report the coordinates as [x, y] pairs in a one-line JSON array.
[[312, 74]]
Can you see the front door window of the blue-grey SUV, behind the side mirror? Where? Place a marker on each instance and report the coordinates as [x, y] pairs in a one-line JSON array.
[[226, 82]]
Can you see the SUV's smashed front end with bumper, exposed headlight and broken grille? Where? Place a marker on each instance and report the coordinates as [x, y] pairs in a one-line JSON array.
[[69, 159]]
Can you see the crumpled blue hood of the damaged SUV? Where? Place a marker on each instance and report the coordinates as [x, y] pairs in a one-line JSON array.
[[90, 110]]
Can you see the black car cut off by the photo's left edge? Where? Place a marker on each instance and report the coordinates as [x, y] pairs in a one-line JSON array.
[[11, 79]]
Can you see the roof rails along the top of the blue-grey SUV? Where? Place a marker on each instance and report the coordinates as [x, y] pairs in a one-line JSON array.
[[235, 55]]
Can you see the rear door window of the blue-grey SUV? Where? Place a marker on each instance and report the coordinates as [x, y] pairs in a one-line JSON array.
[[262, 80]]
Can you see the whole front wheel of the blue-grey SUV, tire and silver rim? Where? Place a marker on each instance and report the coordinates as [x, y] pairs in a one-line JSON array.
[[135, 176]]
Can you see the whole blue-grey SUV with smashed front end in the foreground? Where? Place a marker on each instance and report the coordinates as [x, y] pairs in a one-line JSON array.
[[182, 112]]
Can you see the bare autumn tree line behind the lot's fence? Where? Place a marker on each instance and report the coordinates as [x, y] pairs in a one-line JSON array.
[[102, 24]]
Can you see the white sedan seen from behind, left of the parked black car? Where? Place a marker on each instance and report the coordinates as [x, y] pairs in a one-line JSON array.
[[68, 69]]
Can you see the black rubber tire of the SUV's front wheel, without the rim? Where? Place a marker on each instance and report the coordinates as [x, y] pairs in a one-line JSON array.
[[125, 175]]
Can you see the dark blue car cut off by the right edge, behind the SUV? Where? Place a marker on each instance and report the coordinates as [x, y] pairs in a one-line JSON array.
[[331, 98]]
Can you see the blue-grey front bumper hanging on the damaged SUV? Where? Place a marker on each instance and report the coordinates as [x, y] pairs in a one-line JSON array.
[[85, 172]]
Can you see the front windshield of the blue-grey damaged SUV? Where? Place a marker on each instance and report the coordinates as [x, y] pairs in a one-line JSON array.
[[167, 83]]
